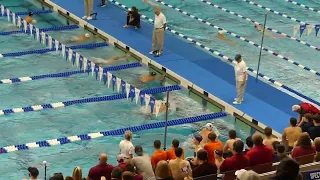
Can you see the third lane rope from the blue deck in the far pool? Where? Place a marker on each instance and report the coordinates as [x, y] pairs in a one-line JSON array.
[[255, 22]]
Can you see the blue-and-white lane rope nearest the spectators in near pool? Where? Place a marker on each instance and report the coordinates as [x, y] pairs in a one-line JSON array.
[[116, 132]]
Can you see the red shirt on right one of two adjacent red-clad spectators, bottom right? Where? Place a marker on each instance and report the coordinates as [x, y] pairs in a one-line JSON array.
[[260, 154]]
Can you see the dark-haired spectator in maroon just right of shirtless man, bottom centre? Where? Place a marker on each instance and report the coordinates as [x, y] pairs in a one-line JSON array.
[[204, 168]]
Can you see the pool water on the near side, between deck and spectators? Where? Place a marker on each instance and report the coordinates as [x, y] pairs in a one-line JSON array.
[[79, 119]]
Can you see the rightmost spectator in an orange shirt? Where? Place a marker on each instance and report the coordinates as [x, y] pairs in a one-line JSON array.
[[212, 146]]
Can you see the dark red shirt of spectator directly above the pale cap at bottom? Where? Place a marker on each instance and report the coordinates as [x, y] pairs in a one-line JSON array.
[[235, 162]]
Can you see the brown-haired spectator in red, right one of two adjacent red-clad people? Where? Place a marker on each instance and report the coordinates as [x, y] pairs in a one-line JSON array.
[[260, 154]]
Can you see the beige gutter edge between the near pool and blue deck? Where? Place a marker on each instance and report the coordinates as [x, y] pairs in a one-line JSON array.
[[224, 106]]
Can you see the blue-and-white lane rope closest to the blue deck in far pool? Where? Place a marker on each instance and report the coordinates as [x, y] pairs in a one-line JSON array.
[[222, 56]]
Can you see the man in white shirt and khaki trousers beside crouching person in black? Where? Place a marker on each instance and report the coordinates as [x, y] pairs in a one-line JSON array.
[[158, 32]]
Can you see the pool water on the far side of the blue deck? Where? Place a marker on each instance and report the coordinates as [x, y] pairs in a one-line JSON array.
[[271, 66]]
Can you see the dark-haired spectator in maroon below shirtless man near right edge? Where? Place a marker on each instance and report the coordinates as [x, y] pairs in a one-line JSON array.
[[304, 146]]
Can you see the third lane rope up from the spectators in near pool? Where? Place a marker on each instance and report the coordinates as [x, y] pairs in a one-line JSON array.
[[66, 74]]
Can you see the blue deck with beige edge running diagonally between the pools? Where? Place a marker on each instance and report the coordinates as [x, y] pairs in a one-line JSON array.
[[264, 105]]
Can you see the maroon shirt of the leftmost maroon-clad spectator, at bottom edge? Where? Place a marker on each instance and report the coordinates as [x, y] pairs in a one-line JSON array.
[[98, 171]]
